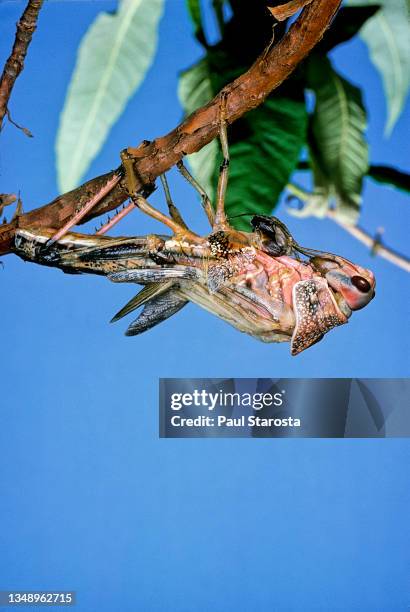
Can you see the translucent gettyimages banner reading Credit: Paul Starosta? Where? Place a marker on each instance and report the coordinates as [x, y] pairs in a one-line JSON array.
[[284, 407]]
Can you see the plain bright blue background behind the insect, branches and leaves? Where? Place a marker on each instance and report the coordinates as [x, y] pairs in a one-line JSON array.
[[90, 498]]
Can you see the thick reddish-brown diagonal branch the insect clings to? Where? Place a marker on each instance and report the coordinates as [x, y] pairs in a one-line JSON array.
[[248, 91]]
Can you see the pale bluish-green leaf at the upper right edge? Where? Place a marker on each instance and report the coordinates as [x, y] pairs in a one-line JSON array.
[[387, 36]]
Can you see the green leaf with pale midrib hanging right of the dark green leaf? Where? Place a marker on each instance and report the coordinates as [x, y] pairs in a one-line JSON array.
[[337, 138]]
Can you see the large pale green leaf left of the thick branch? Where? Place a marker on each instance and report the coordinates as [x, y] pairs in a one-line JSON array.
[[112, 61]]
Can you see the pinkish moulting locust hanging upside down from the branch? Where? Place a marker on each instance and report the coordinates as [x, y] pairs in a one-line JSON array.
[[261, 282]]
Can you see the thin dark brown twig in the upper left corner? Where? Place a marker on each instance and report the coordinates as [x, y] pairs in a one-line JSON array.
[[15, 63]]
